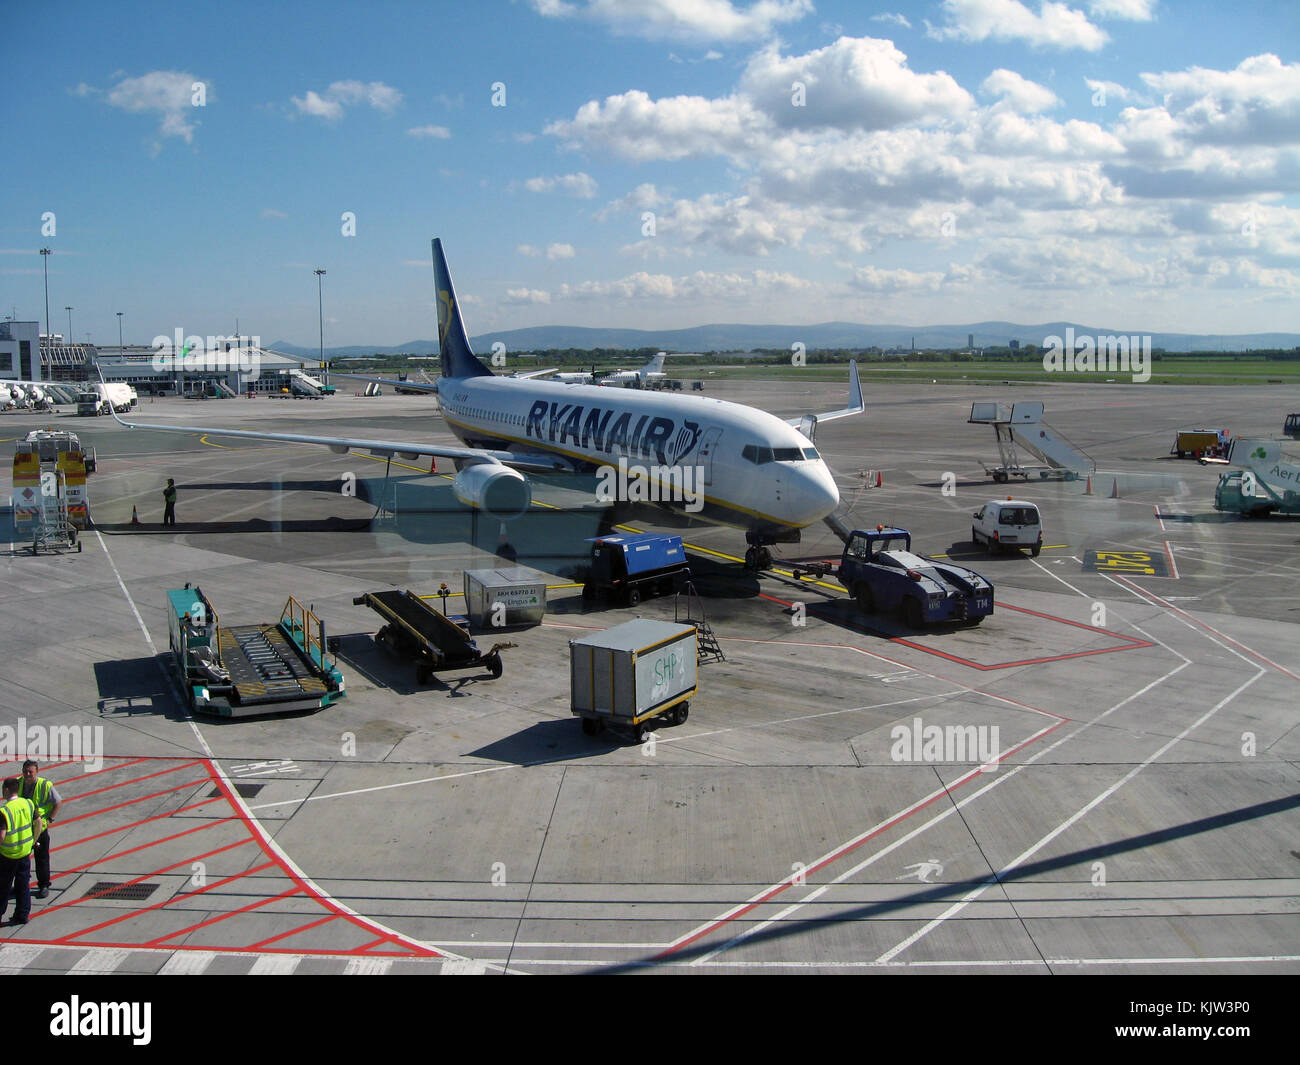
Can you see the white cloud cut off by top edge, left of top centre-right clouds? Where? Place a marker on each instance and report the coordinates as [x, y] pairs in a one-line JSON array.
[[682, 20]]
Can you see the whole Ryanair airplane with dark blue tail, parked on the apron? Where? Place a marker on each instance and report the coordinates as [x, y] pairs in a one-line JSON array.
[[755, 471]]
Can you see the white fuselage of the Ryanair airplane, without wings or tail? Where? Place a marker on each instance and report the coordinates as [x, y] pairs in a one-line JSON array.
[[755, 470]]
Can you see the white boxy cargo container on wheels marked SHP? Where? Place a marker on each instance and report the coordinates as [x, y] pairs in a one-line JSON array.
[[632, 673]]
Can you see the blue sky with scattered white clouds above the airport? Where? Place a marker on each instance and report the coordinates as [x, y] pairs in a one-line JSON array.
[[1134, 164]]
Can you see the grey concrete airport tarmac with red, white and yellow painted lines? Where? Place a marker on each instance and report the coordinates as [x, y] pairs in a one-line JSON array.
[[1138, 813]]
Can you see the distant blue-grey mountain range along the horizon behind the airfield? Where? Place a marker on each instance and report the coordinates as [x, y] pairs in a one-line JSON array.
[[825, 336]]
